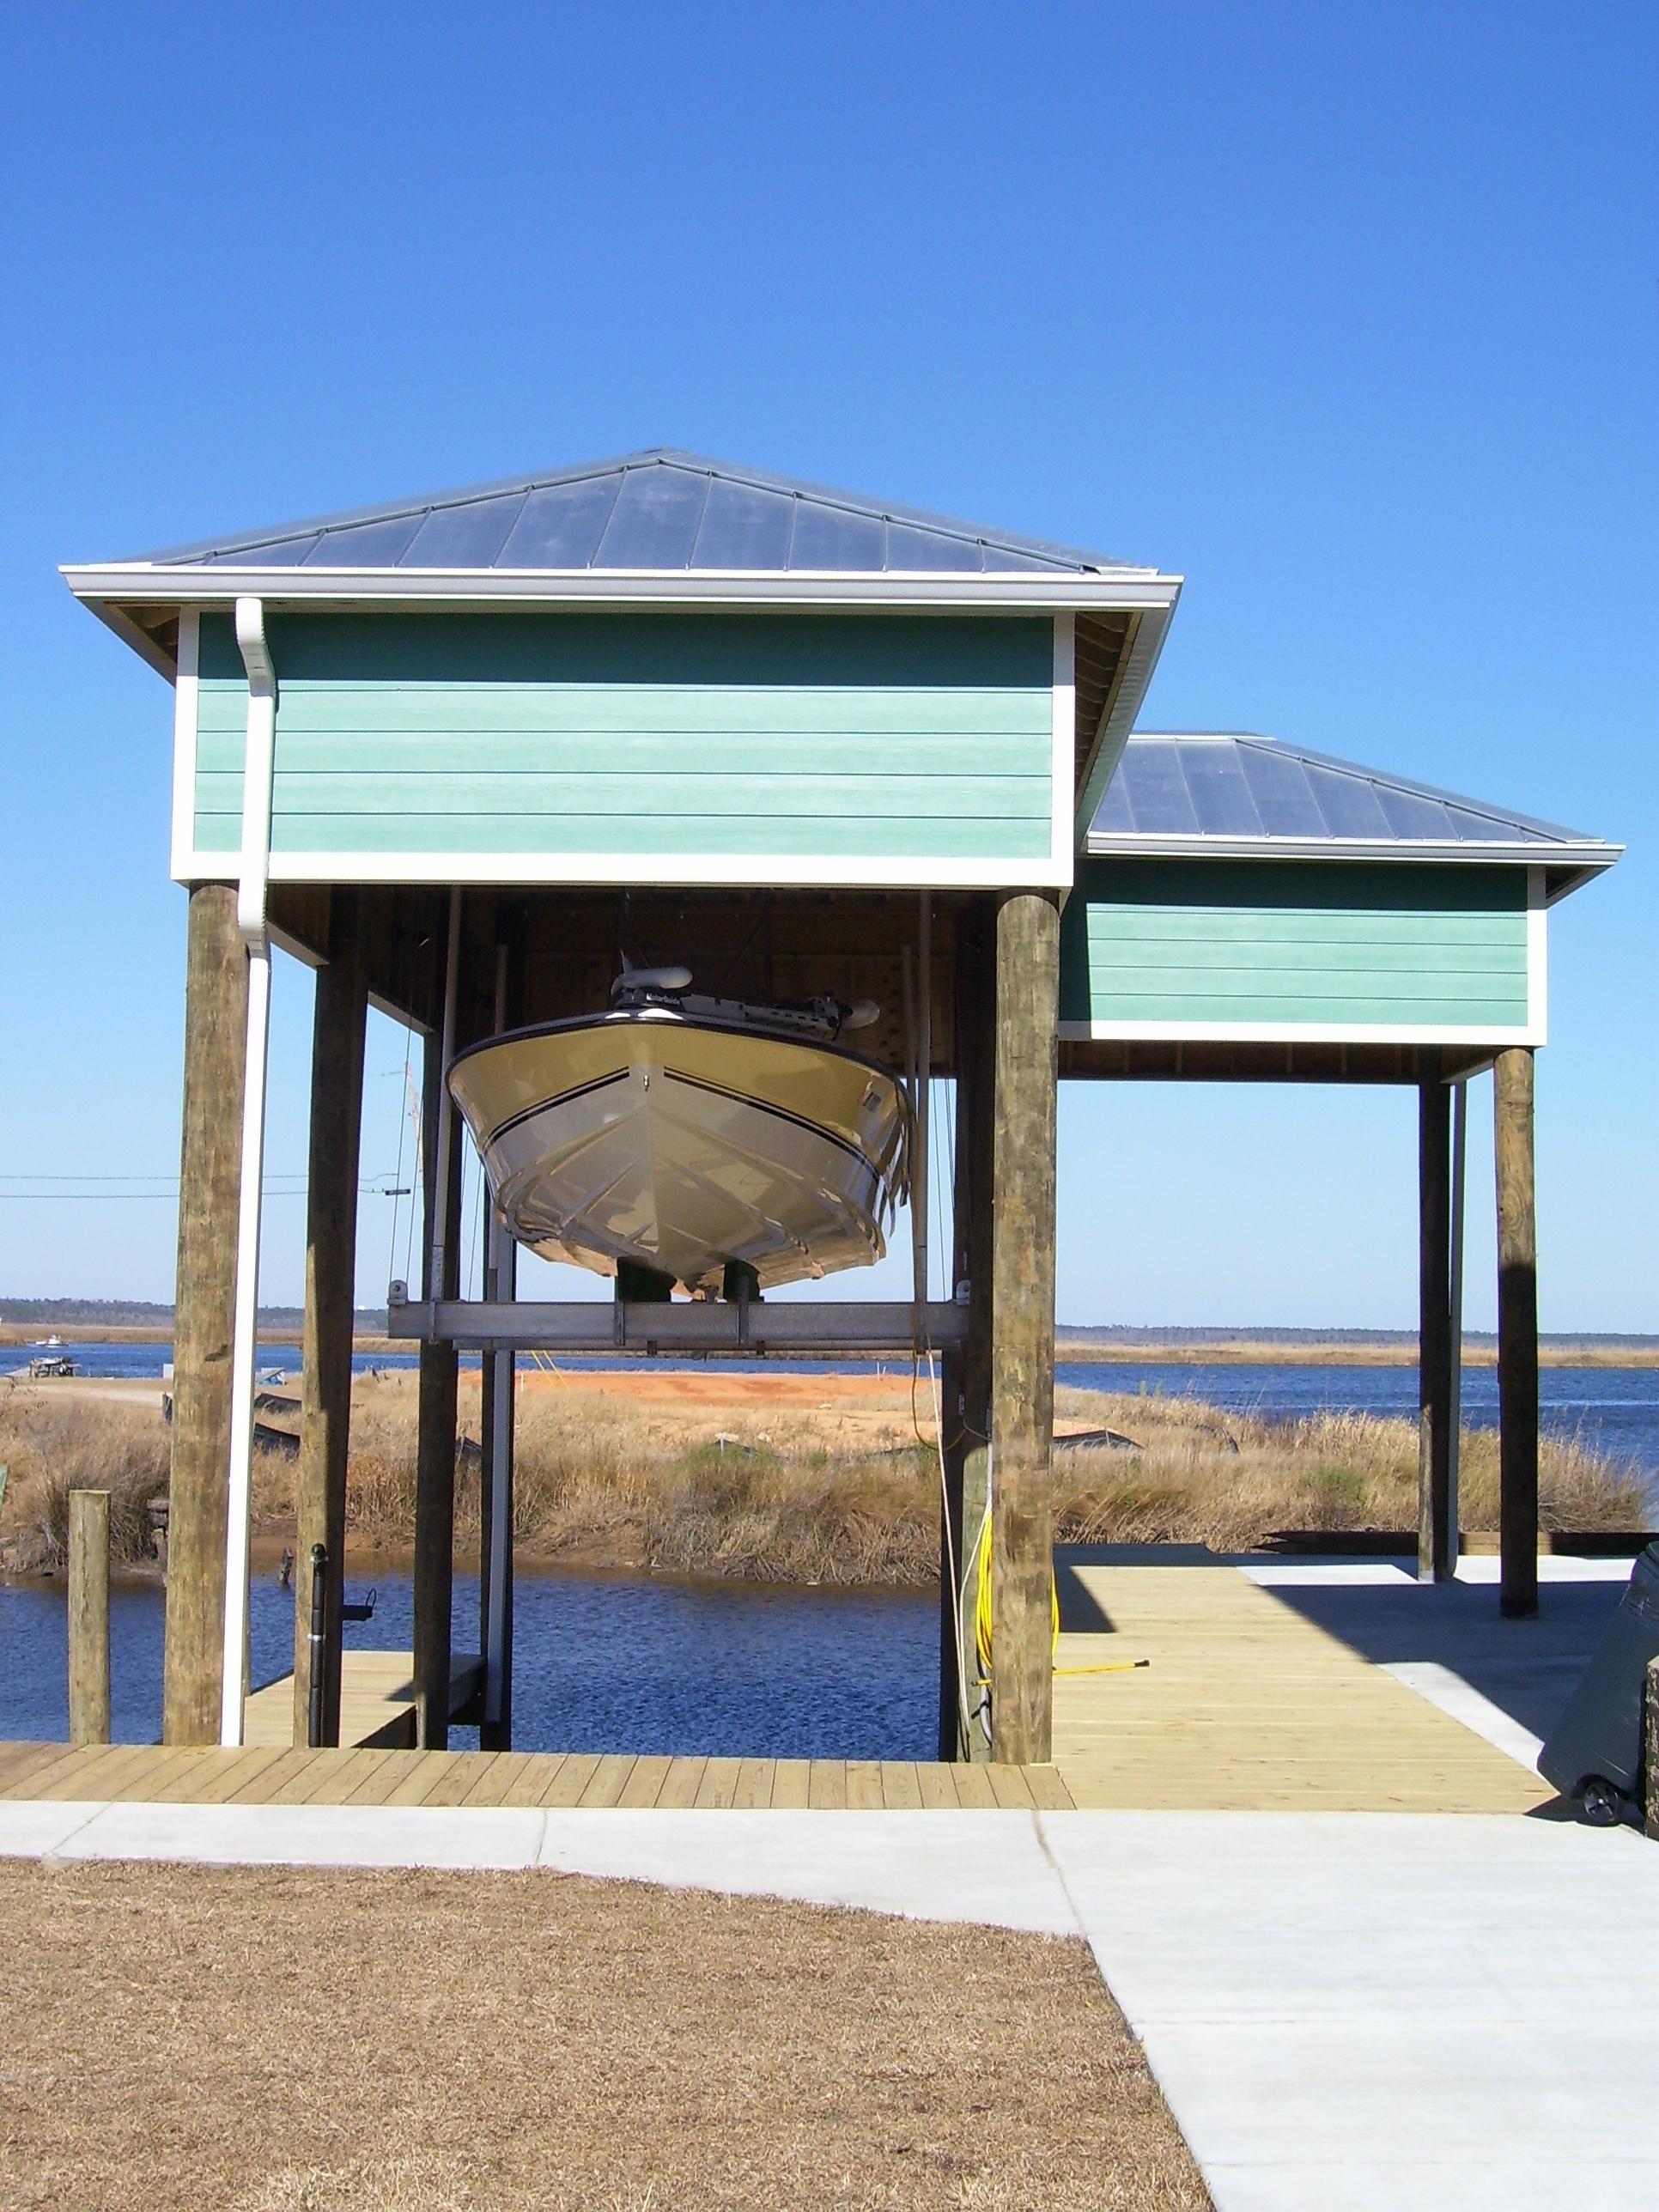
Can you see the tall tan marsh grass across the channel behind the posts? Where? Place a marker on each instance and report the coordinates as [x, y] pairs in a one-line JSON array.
[[837, 1492]]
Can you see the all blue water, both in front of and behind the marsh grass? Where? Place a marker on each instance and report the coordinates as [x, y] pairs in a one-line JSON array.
[[640, 1665]]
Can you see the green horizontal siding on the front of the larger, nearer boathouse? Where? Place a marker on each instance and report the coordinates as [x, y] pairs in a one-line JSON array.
[[662, 735]]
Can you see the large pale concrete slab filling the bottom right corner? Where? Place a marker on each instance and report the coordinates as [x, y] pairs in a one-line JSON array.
[[1373, 2012]]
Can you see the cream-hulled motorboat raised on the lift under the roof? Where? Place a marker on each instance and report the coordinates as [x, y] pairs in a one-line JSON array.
[[680, 1140]]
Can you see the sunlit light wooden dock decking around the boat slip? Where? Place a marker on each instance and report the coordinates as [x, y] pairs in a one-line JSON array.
[[1246, 1707]]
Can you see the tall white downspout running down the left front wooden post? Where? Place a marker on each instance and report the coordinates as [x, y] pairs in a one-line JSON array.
[[251, 919]]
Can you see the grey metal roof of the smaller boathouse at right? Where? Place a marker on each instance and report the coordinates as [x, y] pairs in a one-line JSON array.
[[1185, 789]]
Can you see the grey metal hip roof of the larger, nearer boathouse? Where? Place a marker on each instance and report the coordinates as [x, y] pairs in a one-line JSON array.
[[654, 510]]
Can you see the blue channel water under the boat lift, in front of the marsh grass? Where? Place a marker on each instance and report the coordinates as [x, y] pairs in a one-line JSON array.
[[618, 1665]]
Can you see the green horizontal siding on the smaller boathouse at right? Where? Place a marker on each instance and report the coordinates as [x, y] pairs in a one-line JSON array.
[[1302, 943]]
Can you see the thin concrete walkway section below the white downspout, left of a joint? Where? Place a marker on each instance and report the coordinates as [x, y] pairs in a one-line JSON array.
[[311, 1835]]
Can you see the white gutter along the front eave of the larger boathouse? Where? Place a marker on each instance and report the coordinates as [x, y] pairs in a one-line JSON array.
[[284, 589]]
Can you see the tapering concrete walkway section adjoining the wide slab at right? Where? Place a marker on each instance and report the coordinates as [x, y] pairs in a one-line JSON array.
[[924, 1866]]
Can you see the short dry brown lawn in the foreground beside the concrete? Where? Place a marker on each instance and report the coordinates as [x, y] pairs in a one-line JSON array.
[[236, 2041]]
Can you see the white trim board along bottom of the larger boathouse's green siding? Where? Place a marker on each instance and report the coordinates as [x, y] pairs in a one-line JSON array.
[[530, 870]]
